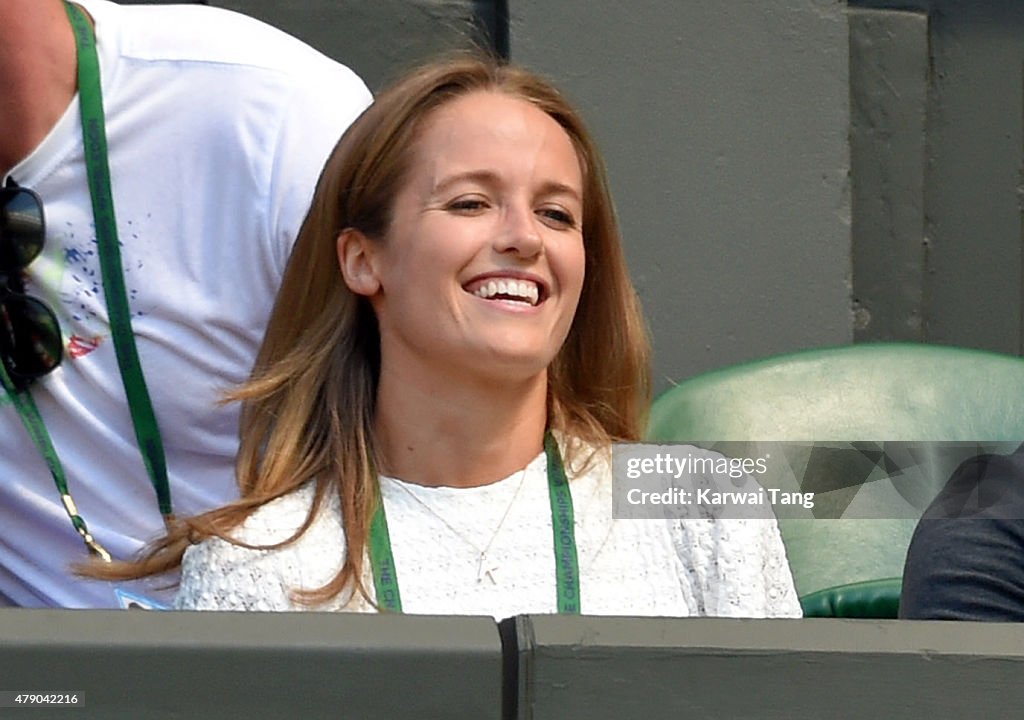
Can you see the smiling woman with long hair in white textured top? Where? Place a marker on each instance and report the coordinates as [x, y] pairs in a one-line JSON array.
[[455, 348]]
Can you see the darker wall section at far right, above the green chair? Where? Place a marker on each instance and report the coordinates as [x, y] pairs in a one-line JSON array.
[[937, 173]]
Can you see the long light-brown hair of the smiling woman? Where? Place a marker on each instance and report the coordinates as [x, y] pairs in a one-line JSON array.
[[308, 410]]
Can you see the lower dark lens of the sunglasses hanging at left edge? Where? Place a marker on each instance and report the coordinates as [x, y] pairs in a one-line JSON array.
[[30, 337]]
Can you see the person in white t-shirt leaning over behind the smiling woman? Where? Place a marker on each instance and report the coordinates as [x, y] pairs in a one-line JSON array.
[[218, 128]]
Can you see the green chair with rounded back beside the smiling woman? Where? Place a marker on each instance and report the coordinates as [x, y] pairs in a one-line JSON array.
[[877, 392]]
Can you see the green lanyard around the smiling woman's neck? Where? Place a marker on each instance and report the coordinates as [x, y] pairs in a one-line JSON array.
[[564, 535]]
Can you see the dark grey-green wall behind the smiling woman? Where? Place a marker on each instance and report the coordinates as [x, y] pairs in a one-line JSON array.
[[789, 176]]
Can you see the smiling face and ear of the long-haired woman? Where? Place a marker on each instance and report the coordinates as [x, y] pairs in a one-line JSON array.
[[486, 227]]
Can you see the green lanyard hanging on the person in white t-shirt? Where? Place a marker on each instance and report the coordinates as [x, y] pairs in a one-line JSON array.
[[144, 418]]
